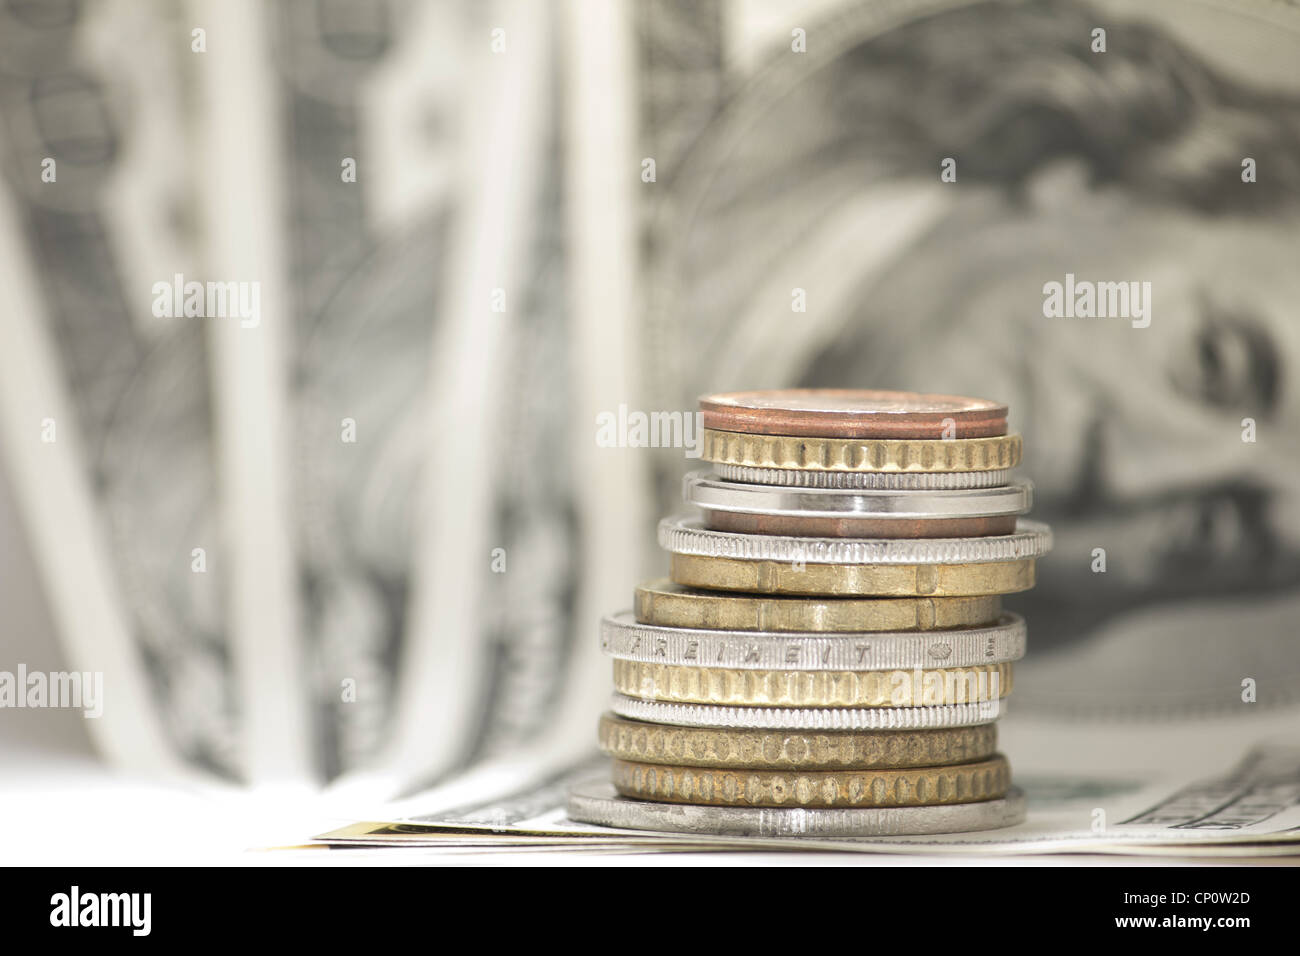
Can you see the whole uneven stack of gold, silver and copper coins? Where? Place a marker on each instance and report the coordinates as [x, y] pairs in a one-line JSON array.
[[831, 652]]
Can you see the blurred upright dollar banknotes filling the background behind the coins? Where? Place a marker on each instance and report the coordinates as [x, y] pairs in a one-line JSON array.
[[356, 524]]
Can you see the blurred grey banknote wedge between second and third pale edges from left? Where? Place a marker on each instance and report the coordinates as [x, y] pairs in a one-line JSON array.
[[361, 285]]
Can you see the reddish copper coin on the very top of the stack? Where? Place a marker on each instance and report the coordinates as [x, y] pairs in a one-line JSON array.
[[853, 414]]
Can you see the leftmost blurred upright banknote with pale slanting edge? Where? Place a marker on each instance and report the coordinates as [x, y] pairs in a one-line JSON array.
[[109, 405]]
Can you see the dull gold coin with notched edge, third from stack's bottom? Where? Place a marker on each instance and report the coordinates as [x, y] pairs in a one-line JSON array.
[[787, 750]]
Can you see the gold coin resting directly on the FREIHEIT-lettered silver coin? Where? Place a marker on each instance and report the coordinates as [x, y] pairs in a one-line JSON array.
[[671, 605]]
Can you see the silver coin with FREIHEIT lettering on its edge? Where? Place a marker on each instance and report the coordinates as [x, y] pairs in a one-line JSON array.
[[627, 641]]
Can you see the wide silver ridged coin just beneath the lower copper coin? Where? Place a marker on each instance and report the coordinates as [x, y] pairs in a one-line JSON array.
[[688, 535]]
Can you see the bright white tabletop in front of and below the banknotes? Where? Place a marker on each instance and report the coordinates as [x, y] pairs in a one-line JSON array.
[[72, 812]]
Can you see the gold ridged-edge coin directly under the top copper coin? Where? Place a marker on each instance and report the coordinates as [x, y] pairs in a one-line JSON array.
[[861, 455]]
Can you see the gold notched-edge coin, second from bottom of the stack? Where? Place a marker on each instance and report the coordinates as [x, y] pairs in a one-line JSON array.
[[961, 784]]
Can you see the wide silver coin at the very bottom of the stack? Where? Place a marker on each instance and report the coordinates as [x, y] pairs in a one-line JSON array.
[[599, 803]]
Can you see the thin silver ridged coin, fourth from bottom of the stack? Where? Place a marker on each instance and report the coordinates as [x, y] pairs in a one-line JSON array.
[[808, 719]]
